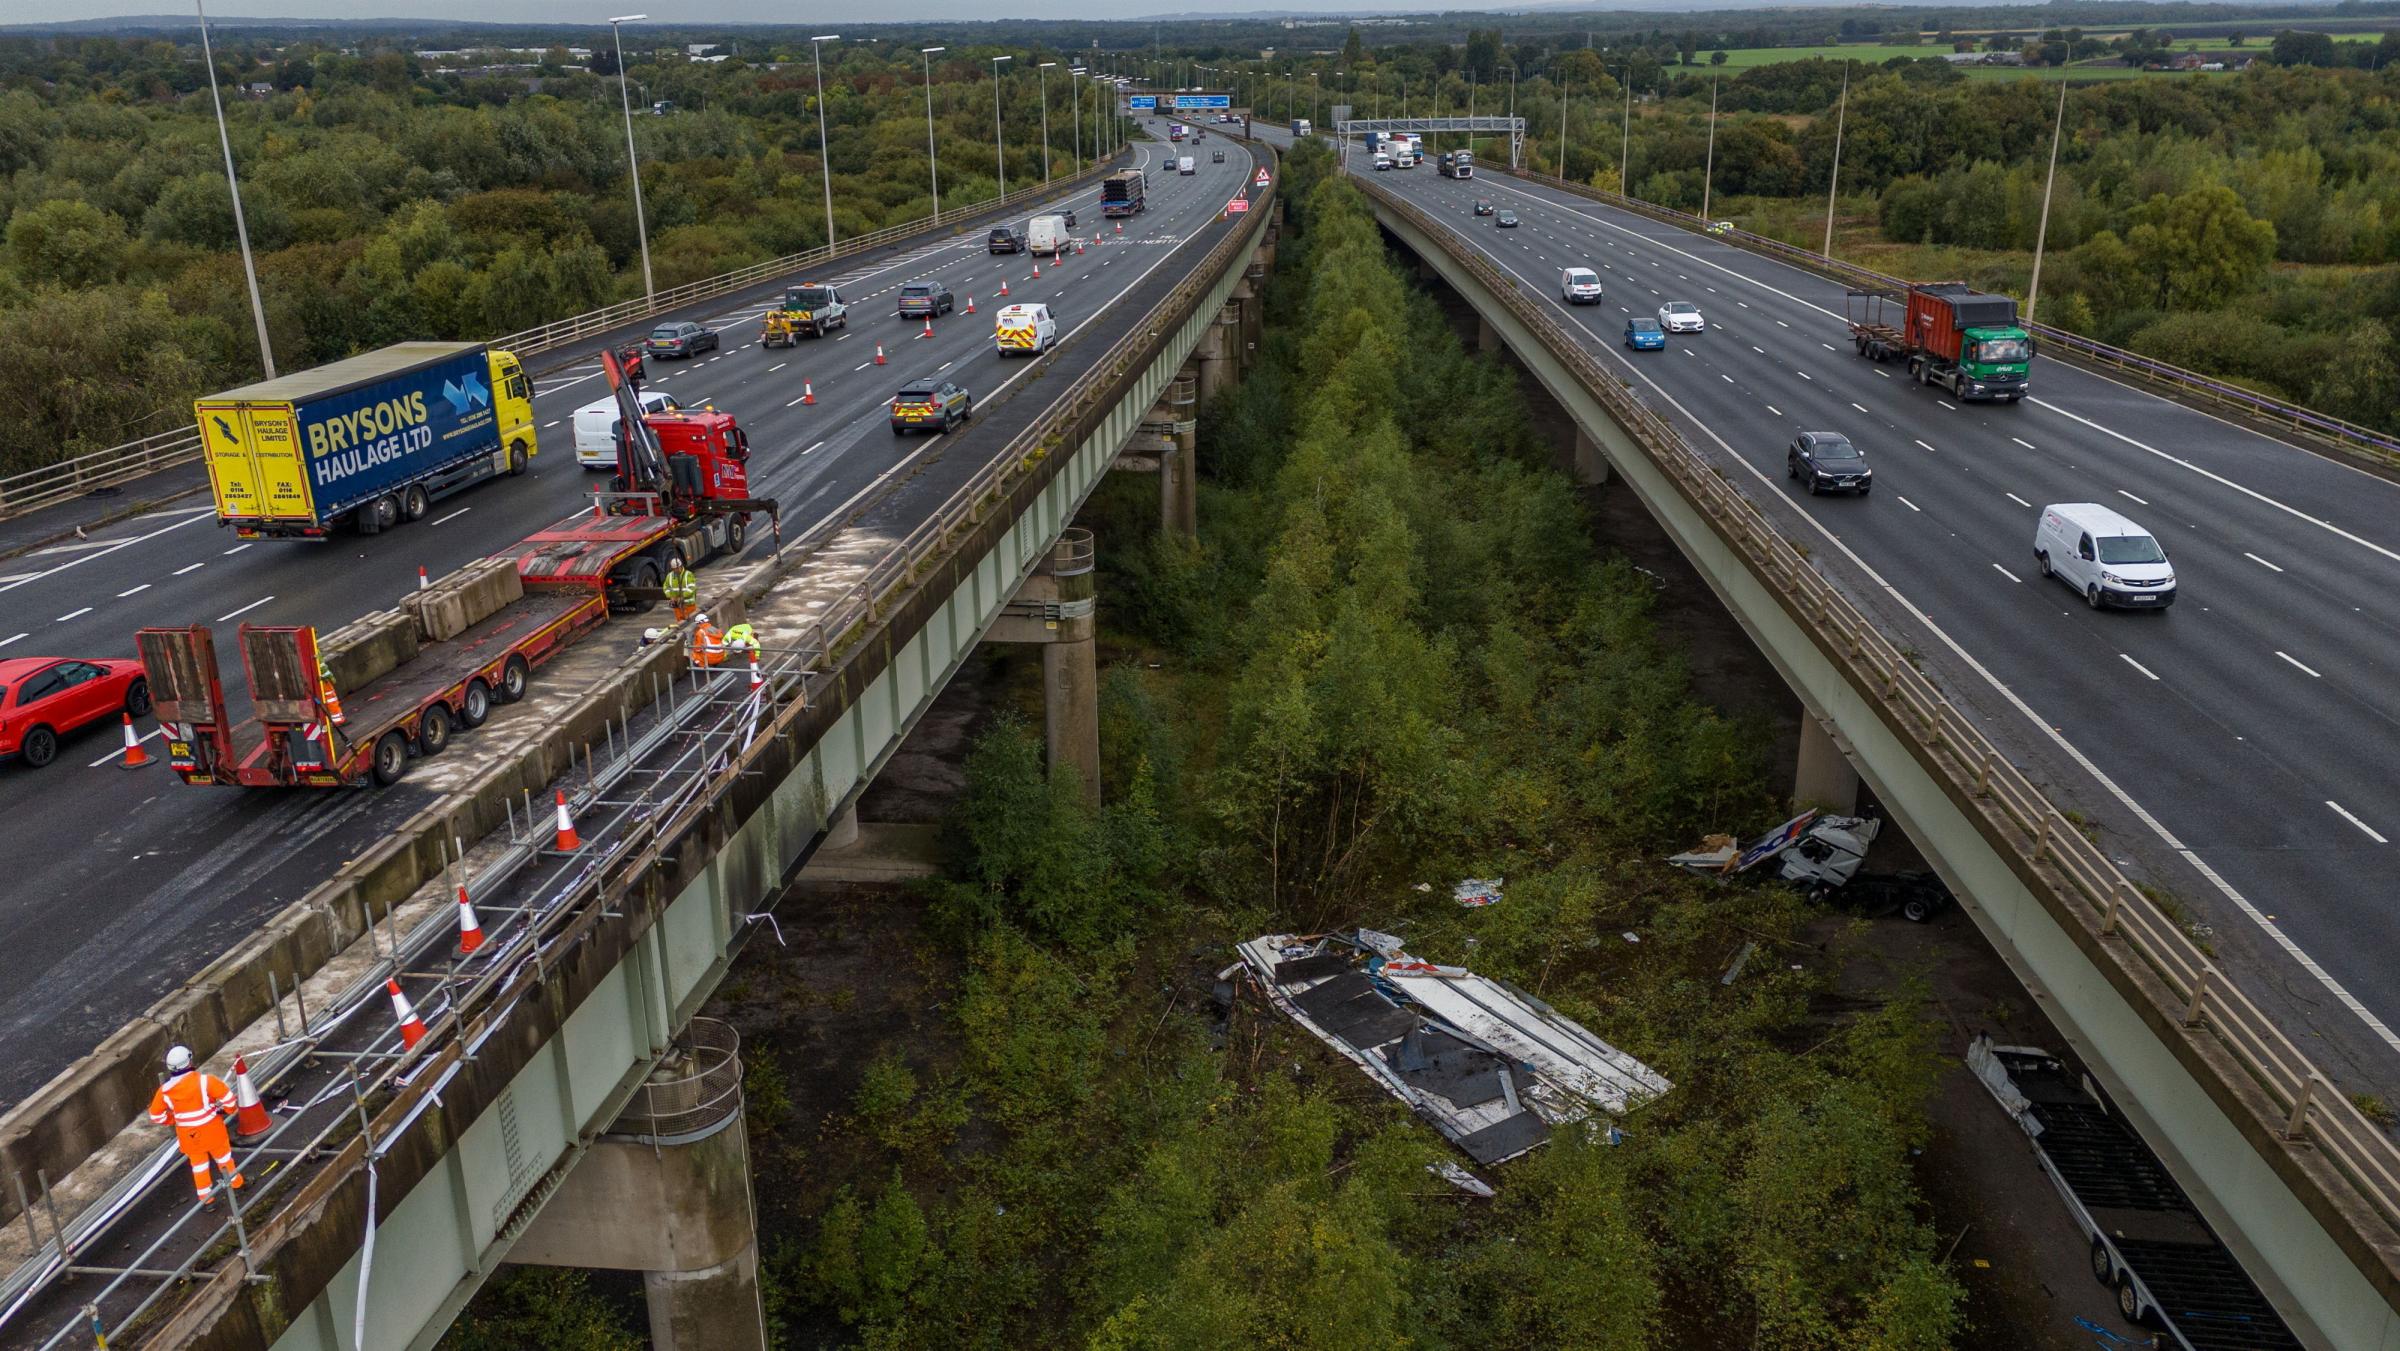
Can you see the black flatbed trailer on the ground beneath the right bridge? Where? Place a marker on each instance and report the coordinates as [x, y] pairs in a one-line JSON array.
[[2147, 1239]]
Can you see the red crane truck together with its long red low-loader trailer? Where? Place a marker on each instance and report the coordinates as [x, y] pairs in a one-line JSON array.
[[464, 647]]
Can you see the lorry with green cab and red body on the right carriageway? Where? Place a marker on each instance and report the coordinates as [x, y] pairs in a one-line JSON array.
[[1950, 335]]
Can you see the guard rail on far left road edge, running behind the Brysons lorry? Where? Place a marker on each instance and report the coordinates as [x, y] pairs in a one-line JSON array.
[[128, 462]]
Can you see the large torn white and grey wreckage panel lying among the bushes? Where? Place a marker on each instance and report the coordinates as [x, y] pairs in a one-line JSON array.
[[1489, 1067]]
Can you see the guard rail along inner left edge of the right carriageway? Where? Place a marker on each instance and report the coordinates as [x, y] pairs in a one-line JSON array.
[[2048, 846]]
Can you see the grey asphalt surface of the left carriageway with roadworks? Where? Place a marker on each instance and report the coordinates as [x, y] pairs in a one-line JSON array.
[[126, 884]]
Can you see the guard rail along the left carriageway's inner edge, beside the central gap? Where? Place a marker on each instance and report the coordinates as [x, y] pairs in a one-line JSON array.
[[407, 1086]]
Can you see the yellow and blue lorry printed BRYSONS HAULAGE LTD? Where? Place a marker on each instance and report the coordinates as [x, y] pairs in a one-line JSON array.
[[371, 440]]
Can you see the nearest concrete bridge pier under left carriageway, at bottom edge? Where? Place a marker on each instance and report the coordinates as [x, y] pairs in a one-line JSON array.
[[668, 1194]]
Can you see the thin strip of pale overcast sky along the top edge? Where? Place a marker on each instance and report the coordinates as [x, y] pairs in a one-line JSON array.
[[685, 11]]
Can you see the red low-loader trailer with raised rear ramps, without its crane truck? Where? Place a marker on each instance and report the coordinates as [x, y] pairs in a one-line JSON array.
[[294, 735]]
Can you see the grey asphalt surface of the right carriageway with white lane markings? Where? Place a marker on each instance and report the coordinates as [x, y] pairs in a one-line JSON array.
[[2236, 750]]
